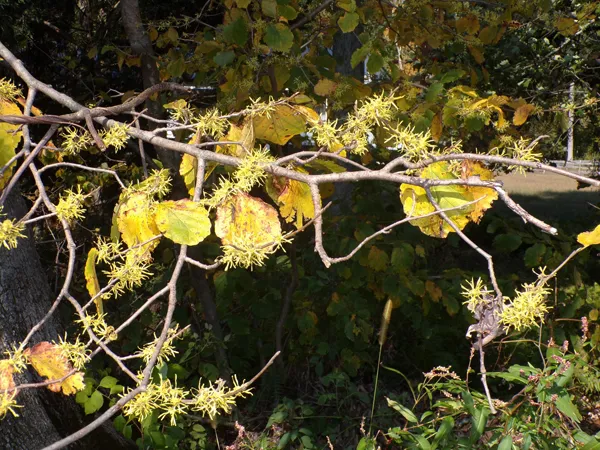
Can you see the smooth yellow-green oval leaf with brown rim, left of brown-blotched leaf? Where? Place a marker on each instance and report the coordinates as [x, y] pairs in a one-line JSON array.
[[183, 221]]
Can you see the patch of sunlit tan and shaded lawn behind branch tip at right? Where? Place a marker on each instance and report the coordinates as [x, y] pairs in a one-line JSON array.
[[552, 197]]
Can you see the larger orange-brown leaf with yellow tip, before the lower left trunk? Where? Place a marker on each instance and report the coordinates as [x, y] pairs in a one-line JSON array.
[[48, 361]]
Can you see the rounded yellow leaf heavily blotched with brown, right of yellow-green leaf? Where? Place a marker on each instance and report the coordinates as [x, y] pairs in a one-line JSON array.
[[247, 220]]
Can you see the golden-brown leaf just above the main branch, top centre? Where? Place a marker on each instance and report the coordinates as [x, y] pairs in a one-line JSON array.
[[283, 123]]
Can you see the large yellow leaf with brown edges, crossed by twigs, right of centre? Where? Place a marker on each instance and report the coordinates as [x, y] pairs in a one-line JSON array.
[[415, 202]]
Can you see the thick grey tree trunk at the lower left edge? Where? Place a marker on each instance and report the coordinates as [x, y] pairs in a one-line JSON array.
[[25, 297]]
